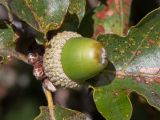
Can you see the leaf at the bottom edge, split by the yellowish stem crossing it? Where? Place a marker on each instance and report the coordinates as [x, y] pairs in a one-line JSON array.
[[60, 114]]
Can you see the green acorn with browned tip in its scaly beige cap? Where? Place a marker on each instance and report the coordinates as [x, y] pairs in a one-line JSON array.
[[70, 59]]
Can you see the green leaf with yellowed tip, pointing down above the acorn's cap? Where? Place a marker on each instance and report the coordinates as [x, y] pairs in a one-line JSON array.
[[42, 15]]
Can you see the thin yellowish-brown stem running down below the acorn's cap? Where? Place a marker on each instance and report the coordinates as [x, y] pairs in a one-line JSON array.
[[51, 108]]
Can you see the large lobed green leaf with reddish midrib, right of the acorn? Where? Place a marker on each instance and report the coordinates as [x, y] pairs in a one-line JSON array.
[[136, 58]]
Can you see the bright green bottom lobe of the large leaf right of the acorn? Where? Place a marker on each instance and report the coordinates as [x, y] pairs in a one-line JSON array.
[[113, 103]]
